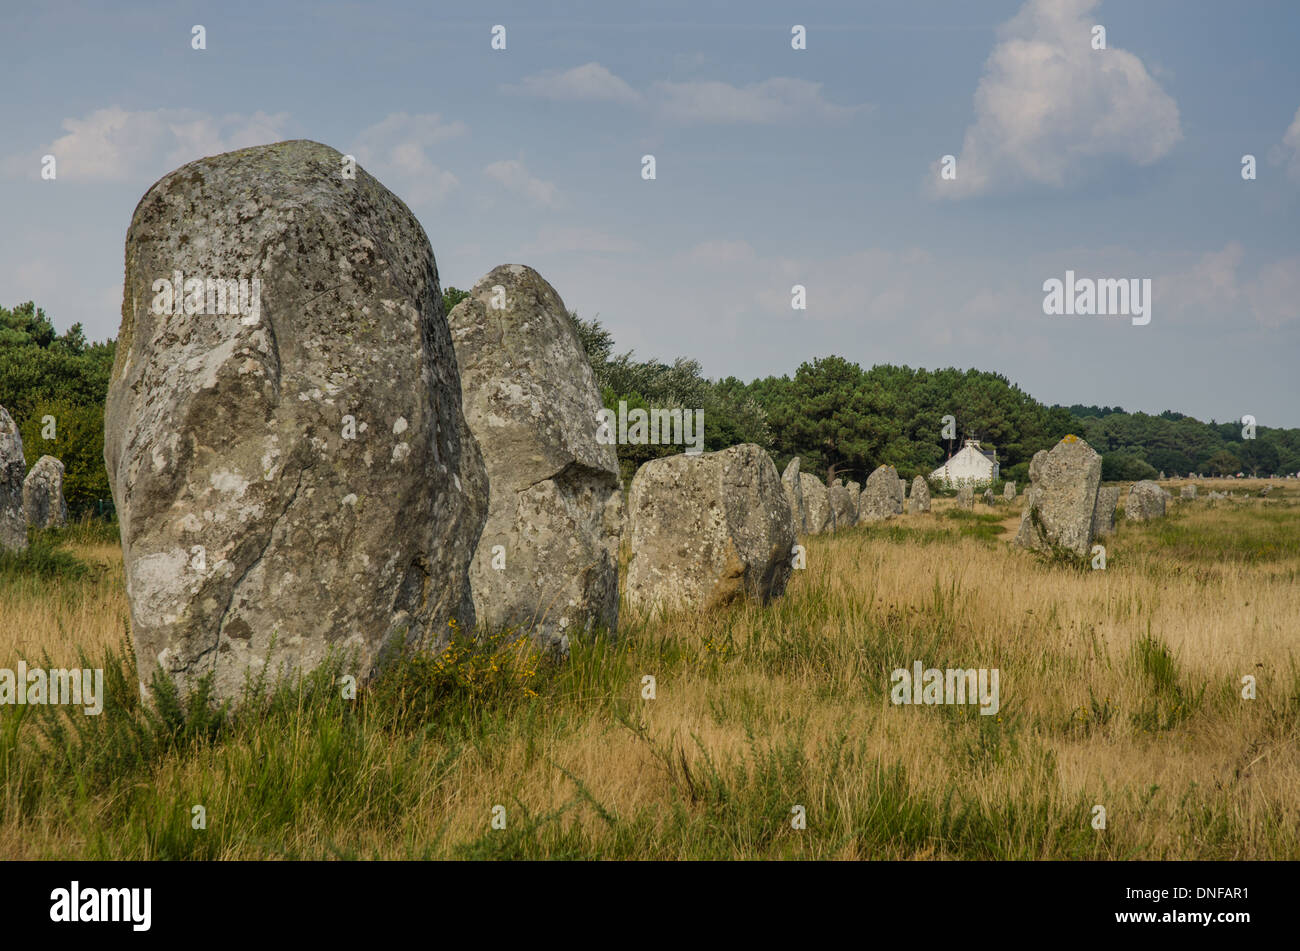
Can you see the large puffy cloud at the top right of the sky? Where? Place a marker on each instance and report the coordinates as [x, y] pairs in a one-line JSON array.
[[1050, 105]]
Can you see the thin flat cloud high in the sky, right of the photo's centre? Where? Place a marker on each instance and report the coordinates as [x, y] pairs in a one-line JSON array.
[[773, 101]]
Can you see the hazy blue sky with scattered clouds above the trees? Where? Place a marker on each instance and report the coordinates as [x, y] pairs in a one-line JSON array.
[[774, 167]]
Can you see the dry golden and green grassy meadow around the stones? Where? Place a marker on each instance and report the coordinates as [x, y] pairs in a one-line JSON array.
[[1120, 688]]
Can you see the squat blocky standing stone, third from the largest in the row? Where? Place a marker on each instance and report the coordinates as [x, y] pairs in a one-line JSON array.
[[708, 529]]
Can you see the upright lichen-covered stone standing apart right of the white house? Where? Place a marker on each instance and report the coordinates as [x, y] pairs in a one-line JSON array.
[[1063, 498]]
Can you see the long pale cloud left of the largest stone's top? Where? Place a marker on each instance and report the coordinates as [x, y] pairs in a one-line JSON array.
[[115, 145]]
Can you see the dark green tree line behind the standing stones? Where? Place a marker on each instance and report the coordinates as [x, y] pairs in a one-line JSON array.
[[840, 419]]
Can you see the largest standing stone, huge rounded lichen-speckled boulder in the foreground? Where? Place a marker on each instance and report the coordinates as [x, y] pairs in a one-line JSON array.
[[289, 459]]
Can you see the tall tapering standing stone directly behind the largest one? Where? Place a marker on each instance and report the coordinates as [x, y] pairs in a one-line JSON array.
[[547, 562]]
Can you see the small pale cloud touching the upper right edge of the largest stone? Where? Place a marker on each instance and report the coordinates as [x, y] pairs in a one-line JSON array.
[[397, 149]]
